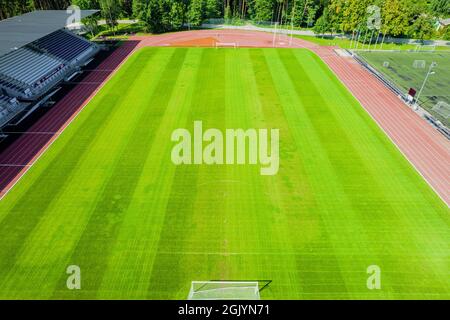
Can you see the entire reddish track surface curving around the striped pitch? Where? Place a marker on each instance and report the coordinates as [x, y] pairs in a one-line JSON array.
[[426, 149]]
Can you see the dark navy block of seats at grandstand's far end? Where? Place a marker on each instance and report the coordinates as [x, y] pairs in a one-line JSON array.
[[65, 46]]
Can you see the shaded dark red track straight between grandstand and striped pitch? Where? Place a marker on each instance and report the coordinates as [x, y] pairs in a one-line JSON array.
[[18, 157]]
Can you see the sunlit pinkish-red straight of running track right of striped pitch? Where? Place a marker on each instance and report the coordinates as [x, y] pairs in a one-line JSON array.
[[425, 148]]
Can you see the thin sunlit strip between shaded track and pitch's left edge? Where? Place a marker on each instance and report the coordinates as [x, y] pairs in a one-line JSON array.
[[65, 125]]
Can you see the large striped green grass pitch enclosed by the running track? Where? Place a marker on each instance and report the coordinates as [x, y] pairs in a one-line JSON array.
[[107, 197]]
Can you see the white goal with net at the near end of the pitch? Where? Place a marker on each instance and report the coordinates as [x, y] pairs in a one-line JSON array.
[[224, 290]]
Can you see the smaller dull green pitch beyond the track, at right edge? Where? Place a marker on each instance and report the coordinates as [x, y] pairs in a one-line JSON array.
[[402, 71]]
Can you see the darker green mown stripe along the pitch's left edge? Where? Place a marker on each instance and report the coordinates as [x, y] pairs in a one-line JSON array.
[[50, 182]]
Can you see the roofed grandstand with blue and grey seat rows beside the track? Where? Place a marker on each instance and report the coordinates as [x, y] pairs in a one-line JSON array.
[[38, 53]]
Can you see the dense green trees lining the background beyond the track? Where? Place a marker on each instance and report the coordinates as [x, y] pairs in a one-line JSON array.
[[399, 18]]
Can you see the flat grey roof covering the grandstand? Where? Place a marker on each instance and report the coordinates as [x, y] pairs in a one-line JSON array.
[[19, 31]]
